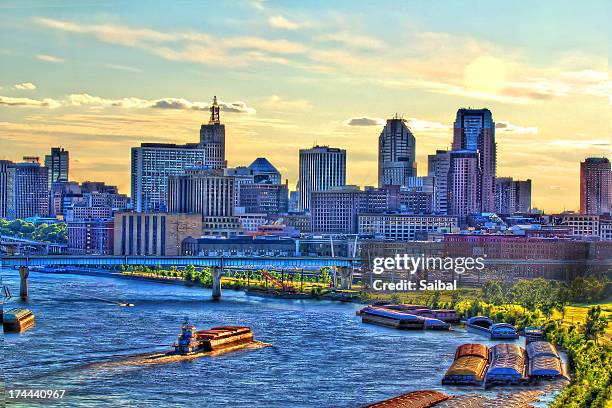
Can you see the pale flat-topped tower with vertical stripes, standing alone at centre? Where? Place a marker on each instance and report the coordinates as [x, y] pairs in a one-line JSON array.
[[321, 168]]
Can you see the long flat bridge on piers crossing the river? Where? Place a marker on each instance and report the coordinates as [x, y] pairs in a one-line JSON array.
[[216, 264]]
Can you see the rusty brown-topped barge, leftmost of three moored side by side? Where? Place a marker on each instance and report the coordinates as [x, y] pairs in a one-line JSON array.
[[469, 366]]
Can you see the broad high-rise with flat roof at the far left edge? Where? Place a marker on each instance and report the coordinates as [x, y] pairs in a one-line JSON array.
[[27, 190]]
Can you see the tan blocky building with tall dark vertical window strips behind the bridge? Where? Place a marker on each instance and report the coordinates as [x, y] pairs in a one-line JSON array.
[[153, 233]]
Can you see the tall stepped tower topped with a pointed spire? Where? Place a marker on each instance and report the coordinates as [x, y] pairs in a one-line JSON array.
[[212, 139]]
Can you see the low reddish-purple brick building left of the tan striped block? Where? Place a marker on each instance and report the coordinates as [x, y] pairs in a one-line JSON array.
[[90, 236]]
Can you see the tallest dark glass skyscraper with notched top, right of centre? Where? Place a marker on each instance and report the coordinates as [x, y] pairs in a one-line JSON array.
[[474, 131]]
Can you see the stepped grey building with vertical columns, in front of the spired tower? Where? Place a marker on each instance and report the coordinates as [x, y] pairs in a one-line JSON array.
[[207, 192]]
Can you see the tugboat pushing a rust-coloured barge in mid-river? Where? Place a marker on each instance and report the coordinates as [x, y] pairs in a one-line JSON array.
[[192, 341]]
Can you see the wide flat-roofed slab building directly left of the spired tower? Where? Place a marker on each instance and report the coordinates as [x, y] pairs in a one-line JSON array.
[[152, 164]]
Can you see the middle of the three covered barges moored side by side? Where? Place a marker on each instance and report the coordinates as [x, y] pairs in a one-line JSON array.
[[507, 365]]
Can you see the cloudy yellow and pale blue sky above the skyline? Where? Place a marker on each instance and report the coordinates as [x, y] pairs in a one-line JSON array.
[[98, 78]]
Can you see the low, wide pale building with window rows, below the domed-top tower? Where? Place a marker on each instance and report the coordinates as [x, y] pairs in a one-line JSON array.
[[403, 227]]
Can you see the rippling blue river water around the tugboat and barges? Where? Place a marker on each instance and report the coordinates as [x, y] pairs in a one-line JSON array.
[[321, 353]]
